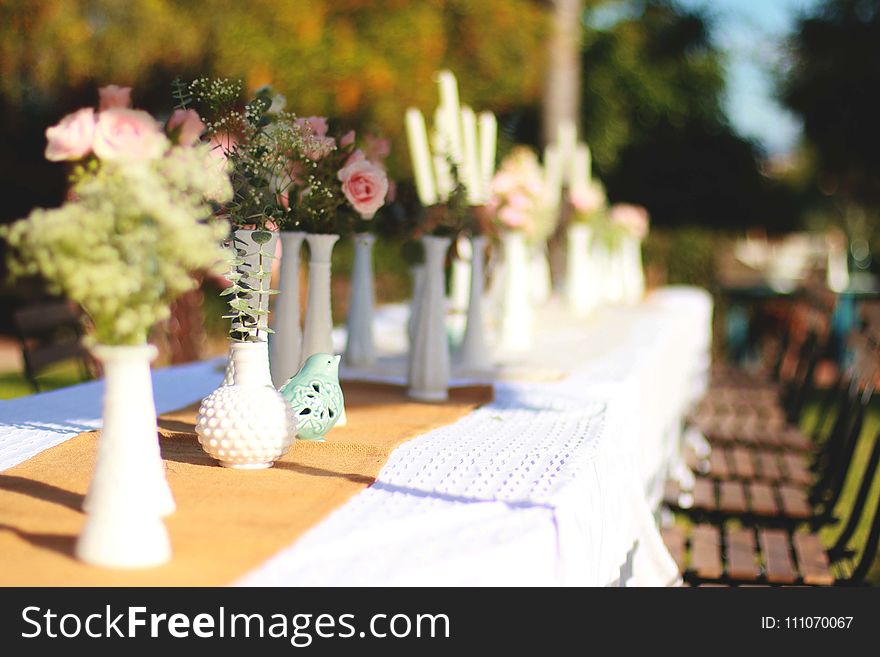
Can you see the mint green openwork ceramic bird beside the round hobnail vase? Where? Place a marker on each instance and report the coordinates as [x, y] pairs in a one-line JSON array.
[[315, 396]]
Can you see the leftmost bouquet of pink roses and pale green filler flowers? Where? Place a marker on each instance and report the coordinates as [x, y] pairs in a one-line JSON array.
[[140, 219]]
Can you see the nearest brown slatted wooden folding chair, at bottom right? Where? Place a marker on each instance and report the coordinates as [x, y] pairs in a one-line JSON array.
[[750, 554]]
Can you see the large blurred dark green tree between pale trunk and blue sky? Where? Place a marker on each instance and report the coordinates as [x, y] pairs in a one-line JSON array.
[[652, 114]]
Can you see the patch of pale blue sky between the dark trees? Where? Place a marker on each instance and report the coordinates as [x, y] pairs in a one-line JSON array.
[[752, 35]]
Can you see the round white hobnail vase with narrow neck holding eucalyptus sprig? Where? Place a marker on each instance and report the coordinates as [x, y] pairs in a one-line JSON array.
[[247, 425]]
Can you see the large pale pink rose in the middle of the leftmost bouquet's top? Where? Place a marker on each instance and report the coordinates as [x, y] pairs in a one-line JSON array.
[[129, 135]]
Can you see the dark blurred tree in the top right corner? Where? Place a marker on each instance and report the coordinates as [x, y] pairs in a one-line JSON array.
[[832, 84]]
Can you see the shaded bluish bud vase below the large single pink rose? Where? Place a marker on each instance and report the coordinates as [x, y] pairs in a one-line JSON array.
[[360, 349]]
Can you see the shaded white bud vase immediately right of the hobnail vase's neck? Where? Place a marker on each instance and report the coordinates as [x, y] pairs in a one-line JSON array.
[[285, 344]]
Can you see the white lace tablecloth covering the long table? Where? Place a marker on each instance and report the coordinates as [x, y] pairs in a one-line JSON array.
[[552, 483]]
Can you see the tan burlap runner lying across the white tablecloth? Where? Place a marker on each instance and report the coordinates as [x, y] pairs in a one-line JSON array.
[[227, 521]]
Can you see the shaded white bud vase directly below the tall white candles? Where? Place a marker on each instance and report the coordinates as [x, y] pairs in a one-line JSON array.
[[429, 352]]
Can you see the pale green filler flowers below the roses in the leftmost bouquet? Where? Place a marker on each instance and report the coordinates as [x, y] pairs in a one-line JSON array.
[[128, 244]]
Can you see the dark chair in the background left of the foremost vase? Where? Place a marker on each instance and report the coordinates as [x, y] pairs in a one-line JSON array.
[[50, 333]]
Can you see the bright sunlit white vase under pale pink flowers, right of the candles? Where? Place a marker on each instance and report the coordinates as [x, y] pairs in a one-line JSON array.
[[517, 313]]
